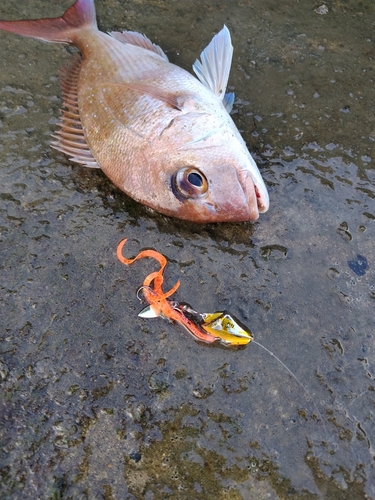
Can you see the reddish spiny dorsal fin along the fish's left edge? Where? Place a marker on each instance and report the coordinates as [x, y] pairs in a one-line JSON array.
[[71, 138]]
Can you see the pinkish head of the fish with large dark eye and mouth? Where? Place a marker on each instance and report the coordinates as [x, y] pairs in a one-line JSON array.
[[211, 177]]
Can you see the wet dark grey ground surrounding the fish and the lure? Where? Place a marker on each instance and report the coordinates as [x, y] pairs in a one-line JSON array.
[[98, 403]]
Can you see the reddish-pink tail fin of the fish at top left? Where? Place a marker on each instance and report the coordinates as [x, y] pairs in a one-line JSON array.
[[58, 29]]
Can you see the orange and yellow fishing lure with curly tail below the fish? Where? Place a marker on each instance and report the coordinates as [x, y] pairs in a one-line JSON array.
[[207, 327]]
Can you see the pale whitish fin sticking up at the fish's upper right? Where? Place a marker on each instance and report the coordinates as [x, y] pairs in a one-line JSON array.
[[214, 67]]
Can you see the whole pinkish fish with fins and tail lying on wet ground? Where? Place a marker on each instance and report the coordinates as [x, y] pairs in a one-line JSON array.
[[161, 135]]
